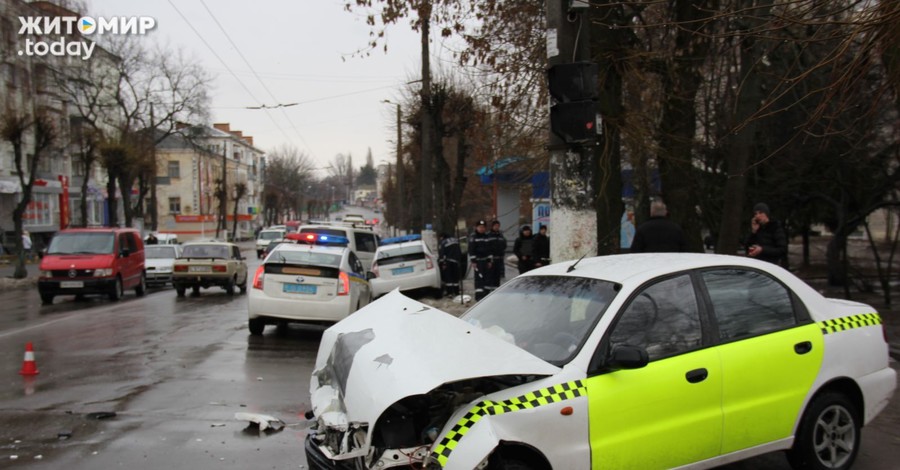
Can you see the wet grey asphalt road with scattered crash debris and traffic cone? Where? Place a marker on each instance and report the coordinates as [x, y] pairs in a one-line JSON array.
[[175, 371]]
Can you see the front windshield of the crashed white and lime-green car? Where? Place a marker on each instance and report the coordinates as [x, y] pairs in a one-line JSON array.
[[548, 316]]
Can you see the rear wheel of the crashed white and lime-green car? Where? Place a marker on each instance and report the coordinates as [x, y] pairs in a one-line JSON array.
[[831, 423]]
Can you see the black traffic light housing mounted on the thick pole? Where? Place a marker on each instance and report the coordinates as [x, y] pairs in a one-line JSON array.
[[574, 87]]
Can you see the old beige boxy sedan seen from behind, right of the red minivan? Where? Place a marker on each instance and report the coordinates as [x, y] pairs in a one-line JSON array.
[[209, 264]]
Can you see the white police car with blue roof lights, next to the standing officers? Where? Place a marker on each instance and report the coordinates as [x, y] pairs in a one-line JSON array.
[[404, 263]]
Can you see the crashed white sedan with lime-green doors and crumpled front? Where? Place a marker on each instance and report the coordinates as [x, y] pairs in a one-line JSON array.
[[631, 361]]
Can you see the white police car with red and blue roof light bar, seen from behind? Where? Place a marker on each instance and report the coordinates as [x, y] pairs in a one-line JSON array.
[[318, 279]]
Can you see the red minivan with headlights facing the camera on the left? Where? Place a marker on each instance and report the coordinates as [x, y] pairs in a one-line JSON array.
[[93, 261]]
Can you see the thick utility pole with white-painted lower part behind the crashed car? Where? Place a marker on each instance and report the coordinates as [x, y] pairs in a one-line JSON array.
[[573, 221]]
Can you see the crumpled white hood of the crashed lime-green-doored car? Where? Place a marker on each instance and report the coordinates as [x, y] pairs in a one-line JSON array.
[[397, 347]]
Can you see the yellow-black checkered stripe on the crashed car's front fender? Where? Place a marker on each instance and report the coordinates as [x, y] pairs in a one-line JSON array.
[[556, 393]]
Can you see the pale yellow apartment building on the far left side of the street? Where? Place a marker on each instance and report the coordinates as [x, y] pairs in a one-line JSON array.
[[190, 165]]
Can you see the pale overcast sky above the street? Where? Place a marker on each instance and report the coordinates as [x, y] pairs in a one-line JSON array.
[[301, 51]]
